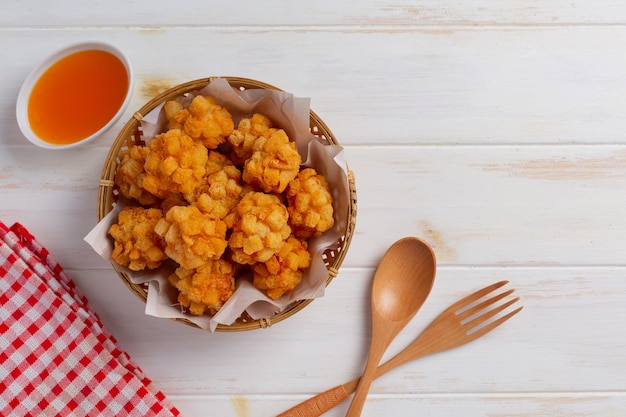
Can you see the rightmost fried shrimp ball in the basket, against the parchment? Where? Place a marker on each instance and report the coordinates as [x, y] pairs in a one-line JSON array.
[[310, 204]]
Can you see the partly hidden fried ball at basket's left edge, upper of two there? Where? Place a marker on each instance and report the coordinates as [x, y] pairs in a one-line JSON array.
[[129, 175]]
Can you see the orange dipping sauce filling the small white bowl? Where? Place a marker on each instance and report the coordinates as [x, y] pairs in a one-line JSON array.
[[77, 96]]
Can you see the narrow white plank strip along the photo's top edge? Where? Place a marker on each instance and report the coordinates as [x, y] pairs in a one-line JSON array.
[[325, 13]]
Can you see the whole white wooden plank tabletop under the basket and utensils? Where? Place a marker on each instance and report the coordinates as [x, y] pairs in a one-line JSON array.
[[496, 131]]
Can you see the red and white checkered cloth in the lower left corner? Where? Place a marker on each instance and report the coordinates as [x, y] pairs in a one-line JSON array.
[[56, 356]]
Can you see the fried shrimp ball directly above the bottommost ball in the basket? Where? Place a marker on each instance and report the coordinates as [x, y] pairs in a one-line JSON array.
[[192, 238]]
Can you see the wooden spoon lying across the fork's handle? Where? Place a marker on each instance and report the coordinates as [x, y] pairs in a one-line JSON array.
[[402, 283]]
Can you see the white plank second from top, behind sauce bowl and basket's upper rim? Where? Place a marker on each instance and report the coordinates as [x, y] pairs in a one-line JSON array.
[[459, 86]]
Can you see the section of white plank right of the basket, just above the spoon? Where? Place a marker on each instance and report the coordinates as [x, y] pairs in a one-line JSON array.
[[494, 205]]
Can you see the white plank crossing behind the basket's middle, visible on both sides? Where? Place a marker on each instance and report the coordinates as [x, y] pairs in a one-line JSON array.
[[477, 205]]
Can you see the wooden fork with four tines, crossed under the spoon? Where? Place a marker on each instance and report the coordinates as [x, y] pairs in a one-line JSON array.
[[462, 322]]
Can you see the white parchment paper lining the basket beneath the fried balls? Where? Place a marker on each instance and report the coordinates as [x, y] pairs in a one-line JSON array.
[[291, 114]]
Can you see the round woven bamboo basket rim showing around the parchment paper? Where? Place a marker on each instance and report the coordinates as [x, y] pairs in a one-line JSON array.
[[131, 135]]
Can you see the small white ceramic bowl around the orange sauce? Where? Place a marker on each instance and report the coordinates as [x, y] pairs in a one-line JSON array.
[[26, 90]]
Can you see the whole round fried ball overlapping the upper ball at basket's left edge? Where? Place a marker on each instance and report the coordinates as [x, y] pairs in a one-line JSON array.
[[174, 164]]
